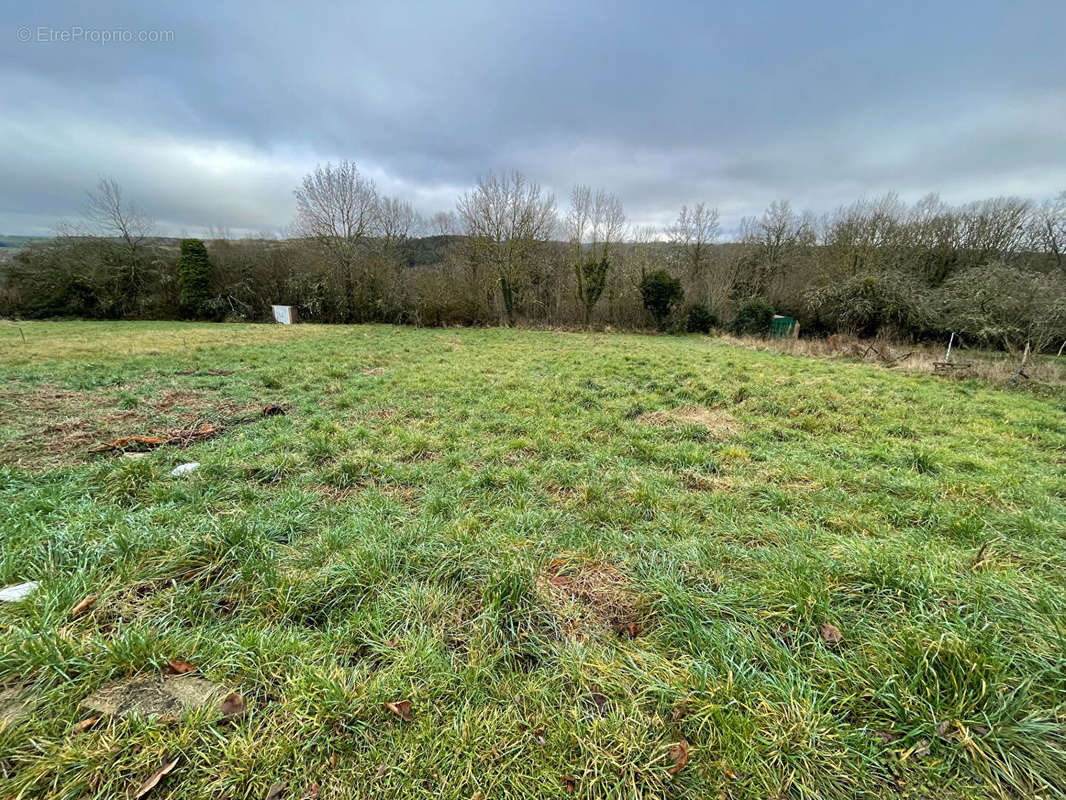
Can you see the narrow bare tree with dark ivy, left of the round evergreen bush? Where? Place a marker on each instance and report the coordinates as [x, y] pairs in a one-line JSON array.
[[595, 223]]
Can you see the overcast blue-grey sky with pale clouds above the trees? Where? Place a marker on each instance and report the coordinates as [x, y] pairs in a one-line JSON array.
[[209, 114]]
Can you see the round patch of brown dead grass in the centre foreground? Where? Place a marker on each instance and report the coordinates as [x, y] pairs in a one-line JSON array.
[[588, 595]]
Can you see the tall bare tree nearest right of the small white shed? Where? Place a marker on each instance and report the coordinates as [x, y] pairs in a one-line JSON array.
[[338, 209]]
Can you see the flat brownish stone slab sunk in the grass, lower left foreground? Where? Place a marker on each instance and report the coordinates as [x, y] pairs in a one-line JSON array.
[[154, 696]]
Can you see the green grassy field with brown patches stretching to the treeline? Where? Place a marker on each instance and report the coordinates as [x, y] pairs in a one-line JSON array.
[[595, 566]]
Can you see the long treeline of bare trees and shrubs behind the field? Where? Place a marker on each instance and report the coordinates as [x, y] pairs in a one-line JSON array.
[[993, 271]]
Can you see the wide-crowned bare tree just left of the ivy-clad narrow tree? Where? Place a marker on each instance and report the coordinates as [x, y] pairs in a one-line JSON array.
[[508, 219]]
